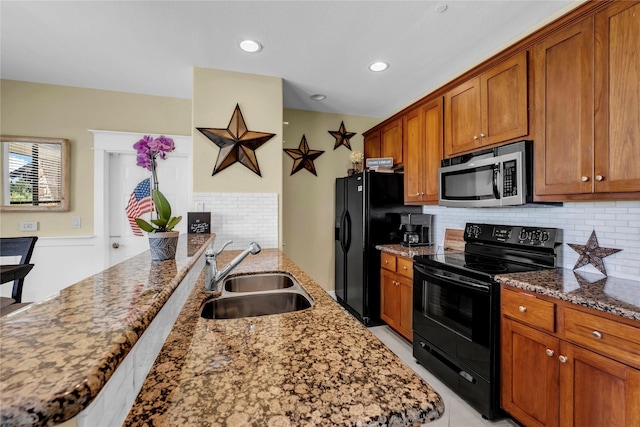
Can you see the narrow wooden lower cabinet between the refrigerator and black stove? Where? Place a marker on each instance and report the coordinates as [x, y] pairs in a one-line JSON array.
[[396, 281]]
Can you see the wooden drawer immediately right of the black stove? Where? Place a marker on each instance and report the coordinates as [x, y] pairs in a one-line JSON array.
[[529, 309]]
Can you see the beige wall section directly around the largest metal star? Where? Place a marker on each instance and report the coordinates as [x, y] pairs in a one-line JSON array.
[[215, 95]]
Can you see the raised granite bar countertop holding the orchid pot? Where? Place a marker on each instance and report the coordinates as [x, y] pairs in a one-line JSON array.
[[57, 354]]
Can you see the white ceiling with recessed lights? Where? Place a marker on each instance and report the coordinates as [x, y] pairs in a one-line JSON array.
[[151, 47]]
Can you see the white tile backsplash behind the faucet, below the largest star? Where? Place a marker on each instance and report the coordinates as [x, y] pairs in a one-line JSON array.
[[241, 217]]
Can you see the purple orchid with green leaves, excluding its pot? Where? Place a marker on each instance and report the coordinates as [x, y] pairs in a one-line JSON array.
[[149, 149]]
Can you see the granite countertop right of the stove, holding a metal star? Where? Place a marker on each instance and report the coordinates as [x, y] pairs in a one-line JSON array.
[[609, 294]]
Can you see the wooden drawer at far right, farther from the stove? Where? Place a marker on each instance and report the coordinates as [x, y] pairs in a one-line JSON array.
[[605, 336]]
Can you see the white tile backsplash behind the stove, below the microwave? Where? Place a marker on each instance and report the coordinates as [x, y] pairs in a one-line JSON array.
[[617, 225]]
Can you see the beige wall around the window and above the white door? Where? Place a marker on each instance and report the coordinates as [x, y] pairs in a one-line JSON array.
[[32, 109]]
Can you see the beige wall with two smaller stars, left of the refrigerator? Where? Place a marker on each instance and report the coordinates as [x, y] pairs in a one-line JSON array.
[[308, 216]]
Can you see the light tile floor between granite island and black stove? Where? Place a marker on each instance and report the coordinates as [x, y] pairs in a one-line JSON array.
[[457, 412]]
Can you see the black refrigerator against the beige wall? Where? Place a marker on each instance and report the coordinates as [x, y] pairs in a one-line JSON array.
[[368, 208]]
